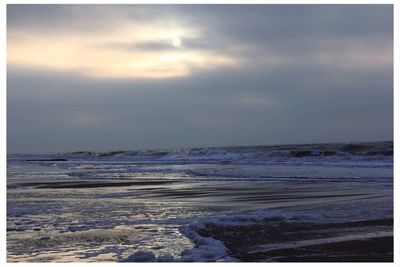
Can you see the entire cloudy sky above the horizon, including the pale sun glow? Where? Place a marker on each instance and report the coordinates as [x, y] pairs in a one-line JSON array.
[[126, 77]]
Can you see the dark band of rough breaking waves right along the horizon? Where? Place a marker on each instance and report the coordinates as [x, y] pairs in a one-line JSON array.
[[370, 152]]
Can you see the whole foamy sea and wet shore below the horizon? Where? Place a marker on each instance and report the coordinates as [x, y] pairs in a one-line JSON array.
[[296, 203]]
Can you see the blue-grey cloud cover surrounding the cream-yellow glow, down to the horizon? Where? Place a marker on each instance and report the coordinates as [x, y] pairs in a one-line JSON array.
[[307, 94]]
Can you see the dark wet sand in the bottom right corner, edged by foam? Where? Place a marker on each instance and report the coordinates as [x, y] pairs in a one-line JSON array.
[[356, 241]]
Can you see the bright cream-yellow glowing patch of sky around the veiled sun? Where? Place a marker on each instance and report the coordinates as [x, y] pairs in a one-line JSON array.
[[91, 54]]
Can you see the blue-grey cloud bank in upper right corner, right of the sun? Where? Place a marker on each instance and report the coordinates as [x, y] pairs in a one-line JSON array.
[[294, 30]]
